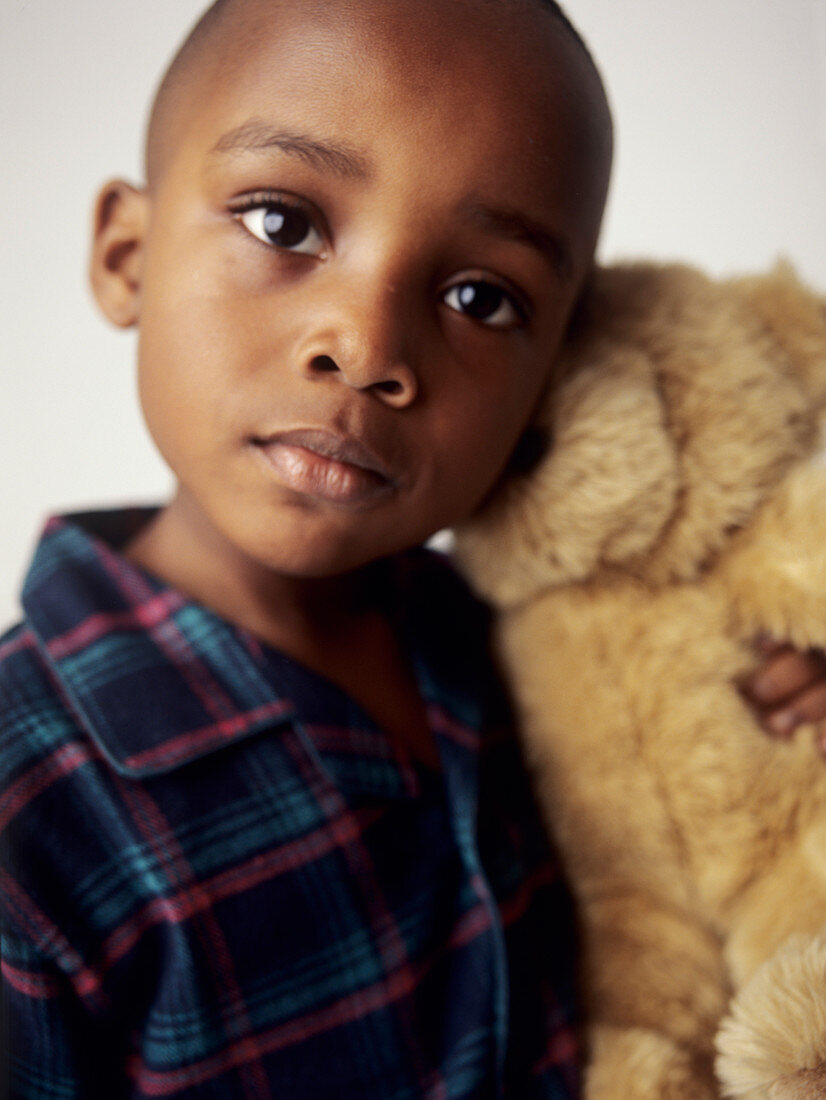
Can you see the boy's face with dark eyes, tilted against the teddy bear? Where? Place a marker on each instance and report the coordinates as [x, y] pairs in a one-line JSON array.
[[356, 269]]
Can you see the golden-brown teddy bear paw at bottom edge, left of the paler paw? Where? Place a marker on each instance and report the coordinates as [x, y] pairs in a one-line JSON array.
[[636, 1064]]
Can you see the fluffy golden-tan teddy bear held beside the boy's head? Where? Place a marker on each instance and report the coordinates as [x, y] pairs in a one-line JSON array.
[[675, 513]]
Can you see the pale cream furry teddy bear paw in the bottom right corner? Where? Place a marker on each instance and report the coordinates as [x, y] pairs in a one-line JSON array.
[[777, 1026]]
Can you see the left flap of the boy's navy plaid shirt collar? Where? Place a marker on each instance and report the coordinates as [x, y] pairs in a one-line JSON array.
[[156, 679]]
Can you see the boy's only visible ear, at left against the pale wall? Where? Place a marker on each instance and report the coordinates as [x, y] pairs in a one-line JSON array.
[[122, 222]]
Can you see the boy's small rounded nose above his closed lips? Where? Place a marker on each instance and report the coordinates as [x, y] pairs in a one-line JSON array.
[[365, 345]]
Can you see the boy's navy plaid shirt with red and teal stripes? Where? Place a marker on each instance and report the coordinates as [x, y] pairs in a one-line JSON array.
[[221, 879]]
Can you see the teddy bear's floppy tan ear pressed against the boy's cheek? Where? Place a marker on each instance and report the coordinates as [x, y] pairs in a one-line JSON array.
[[601, 494]]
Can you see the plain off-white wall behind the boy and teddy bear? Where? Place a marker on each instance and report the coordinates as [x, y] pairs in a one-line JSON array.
[[721, 111]]
